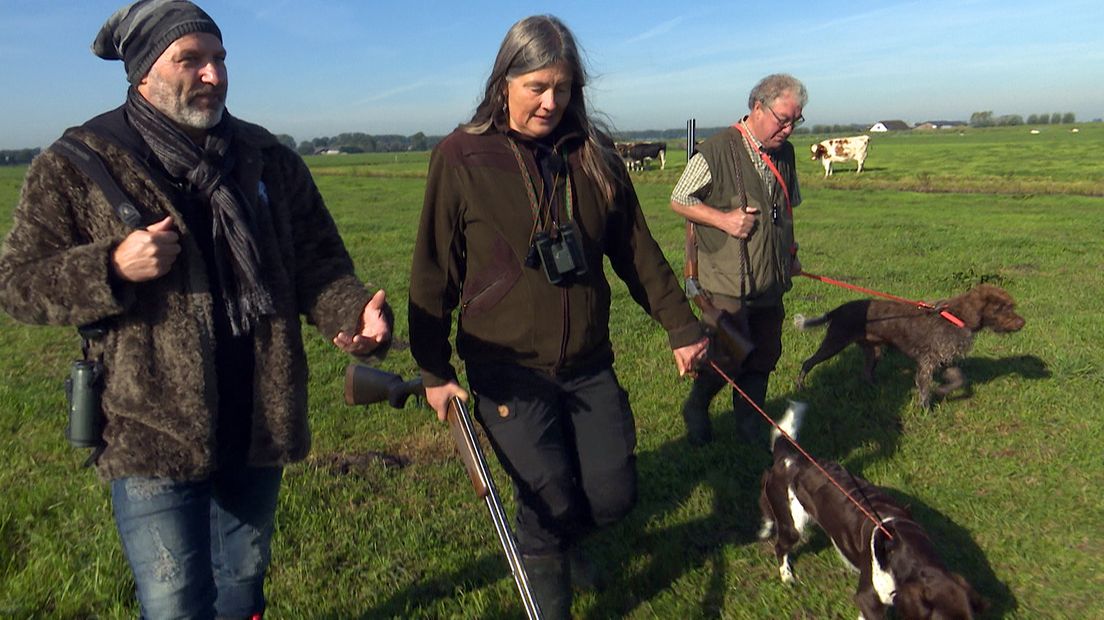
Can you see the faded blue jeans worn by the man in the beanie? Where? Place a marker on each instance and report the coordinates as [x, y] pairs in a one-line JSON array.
[[199, 549]]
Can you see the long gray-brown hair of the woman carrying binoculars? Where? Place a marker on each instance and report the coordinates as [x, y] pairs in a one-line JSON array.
[[533, 45]]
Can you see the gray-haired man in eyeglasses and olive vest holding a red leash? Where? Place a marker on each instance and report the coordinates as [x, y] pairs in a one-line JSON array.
[[739, 190]]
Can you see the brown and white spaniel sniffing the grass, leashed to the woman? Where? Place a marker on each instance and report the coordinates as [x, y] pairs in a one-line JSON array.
[[900, 570]]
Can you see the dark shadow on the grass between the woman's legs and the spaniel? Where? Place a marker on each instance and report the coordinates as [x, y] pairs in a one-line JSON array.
[[676, 477]]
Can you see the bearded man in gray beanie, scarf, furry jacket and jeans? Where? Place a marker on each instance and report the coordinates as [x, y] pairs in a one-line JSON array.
[[198, 307]]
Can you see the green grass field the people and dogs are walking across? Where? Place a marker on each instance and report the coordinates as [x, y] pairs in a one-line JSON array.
[[1005, 480]]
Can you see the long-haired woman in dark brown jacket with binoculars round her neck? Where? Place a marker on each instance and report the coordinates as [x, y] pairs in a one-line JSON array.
[[523, 204]]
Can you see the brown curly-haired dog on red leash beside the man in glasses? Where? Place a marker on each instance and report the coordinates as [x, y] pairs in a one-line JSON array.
[[931, 340]]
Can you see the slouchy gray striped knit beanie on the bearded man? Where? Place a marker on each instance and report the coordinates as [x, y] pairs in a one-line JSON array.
[[140, 34]]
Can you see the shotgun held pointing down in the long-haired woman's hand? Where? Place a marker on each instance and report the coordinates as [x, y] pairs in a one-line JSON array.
[[366, 386]]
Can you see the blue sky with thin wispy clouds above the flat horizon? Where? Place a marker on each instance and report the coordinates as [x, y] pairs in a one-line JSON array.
[[315, 69]]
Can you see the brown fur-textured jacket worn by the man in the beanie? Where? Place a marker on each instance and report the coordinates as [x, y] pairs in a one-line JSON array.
[[161, 398]]
